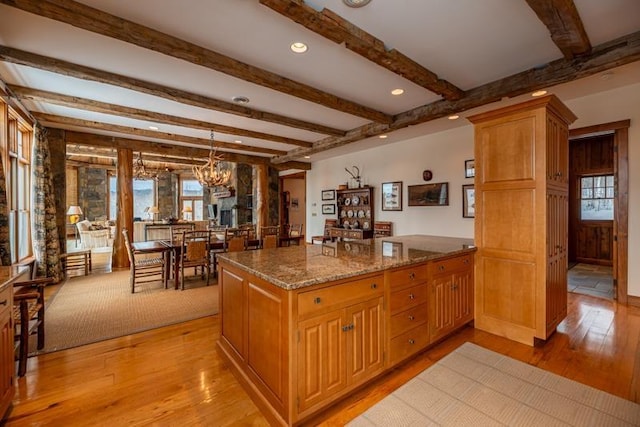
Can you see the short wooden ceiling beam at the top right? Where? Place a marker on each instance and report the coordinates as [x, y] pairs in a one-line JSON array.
[[563, 21]]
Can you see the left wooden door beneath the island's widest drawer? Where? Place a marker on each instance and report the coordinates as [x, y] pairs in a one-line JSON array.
[[321, 358]]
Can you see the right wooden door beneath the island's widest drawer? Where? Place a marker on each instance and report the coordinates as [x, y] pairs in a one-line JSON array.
[[365, 340]]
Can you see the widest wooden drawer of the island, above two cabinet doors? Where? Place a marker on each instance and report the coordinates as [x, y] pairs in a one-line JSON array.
[[336, 296]]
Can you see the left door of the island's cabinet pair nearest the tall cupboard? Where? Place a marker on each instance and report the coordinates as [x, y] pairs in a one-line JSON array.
[[440, 306]]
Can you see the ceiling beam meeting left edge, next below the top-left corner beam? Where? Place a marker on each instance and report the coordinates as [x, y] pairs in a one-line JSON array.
[[65, 68]]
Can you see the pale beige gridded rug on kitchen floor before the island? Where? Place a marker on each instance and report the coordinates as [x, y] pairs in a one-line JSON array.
[[476, 387]]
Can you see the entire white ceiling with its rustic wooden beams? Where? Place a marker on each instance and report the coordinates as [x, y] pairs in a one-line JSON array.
[[157, 76]]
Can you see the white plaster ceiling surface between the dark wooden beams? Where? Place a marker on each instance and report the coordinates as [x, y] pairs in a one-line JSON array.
[[466, 42]]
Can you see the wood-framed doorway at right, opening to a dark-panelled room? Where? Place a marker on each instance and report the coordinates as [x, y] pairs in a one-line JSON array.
[[598, 210]]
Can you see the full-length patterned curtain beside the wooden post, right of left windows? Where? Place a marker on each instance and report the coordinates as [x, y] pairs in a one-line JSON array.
[[46, 245]]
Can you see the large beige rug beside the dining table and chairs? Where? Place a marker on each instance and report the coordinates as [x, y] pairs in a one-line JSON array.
[[101, 306]]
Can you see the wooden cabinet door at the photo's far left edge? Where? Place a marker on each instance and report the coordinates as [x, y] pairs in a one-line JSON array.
[[7, 365]]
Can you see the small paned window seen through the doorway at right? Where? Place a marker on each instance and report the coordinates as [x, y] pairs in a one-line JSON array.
[[596, 198]]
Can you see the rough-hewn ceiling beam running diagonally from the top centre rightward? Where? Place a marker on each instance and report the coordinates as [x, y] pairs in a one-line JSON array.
[[337, 29]]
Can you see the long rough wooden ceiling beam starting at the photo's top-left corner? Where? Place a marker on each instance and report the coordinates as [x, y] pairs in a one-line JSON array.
[[99, 22]]
